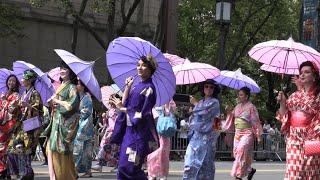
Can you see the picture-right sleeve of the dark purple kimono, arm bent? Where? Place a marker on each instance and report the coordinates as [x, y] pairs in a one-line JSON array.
[[149, 102]]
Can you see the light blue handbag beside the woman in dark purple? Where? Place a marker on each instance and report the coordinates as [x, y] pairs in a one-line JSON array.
[[166, 125]]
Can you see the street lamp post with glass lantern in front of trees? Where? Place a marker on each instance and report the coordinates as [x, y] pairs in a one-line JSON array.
[[223, 13]]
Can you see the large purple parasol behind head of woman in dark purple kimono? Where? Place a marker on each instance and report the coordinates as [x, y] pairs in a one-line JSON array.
[[123, 55]]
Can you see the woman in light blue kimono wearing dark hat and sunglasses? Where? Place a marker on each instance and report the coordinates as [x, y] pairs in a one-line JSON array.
[[200, 154]]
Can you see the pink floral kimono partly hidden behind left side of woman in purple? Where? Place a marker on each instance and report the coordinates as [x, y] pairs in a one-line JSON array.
[[109, 153]]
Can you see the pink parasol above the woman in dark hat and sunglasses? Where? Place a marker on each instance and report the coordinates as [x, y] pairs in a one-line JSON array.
[[194, 72]]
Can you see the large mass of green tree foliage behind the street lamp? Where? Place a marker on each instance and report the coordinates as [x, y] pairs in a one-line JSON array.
[[198, 37]]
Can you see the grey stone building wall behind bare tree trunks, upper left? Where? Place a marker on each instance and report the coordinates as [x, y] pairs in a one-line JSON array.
[[49, 28]]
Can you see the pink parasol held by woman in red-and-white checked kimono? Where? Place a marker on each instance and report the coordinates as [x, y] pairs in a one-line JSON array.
[[284, 54]]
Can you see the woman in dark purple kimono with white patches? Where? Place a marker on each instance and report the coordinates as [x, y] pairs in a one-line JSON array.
[[135, 125]]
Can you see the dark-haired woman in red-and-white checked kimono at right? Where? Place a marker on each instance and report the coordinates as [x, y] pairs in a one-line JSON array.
[[300, 119]]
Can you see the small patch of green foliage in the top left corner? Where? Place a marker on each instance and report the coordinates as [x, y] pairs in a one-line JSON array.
[[10, 22]]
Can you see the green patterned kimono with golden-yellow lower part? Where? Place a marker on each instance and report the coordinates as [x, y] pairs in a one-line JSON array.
[[63, 128]]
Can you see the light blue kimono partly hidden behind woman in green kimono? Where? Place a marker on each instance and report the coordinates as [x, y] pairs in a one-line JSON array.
[[83, 146]]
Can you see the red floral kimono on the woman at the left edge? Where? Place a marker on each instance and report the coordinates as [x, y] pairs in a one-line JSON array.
[[9, 114]]
